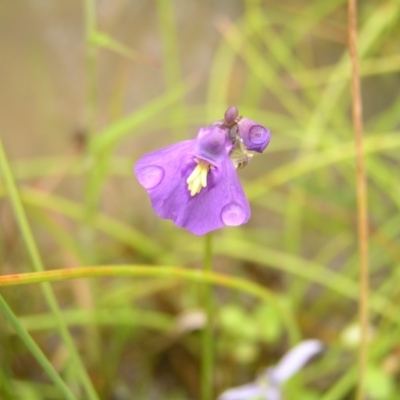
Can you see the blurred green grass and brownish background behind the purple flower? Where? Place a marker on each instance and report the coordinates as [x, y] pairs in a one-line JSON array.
[[87, 87]]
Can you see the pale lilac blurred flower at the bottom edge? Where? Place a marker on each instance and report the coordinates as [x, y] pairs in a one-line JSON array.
[[268, 385]]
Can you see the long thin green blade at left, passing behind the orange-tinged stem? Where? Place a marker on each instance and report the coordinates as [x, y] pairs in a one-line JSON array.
[[38, 266]]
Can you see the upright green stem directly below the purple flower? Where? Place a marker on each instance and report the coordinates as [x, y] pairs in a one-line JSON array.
[[207, 339]]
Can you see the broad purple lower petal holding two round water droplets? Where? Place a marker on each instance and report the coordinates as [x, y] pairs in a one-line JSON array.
[[222, 203]]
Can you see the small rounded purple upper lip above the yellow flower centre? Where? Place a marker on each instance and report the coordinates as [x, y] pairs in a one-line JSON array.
[[212, 145]]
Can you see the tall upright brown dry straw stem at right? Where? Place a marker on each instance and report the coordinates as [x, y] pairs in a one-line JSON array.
[[362, 211]]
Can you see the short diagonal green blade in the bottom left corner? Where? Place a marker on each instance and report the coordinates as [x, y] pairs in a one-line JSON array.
[[35, 350]]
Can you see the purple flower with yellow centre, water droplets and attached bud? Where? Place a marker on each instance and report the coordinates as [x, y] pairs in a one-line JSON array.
[[194, 182]]
